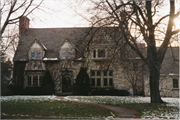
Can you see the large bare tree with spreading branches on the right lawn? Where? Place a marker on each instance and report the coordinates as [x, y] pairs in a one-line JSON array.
[[139, 21]]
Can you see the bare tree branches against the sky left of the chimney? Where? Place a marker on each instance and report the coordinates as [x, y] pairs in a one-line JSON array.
[[11, 11]]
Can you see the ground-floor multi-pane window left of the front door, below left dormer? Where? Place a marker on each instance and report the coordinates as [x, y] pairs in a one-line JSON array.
[[34, 80]]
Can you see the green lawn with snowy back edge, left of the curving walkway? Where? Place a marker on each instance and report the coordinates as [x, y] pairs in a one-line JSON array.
[[24, 107]]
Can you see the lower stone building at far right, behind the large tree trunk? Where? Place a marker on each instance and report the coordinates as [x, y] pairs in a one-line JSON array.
[[169, 75]]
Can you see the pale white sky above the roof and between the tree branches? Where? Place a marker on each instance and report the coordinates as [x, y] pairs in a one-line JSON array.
[[69, 13]]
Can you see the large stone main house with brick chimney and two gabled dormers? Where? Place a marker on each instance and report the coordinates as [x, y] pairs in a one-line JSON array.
[[62, 51]]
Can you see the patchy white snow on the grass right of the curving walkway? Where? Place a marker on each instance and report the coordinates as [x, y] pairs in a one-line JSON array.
[[172, 113]]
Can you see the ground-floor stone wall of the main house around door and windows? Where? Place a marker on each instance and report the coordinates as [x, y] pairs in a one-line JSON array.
[[58, 68]]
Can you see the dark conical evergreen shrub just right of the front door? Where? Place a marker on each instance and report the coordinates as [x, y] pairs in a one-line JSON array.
[[82, 84]]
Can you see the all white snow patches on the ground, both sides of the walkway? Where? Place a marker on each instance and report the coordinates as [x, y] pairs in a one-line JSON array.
[[172, 114]]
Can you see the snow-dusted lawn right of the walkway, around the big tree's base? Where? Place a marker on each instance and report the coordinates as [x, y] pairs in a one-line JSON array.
[[142, 105]]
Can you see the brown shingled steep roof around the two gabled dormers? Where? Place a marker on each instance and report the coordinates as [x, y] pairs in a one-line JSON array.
[[52, 39]]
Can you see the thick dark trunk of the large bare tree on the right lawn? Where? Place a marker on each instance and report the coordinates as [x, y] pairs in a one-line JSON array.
[[154, 83]]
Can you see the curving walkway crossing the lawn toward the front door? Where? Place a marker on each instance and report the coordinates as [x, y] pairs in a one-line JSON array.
[[119, 111]]
